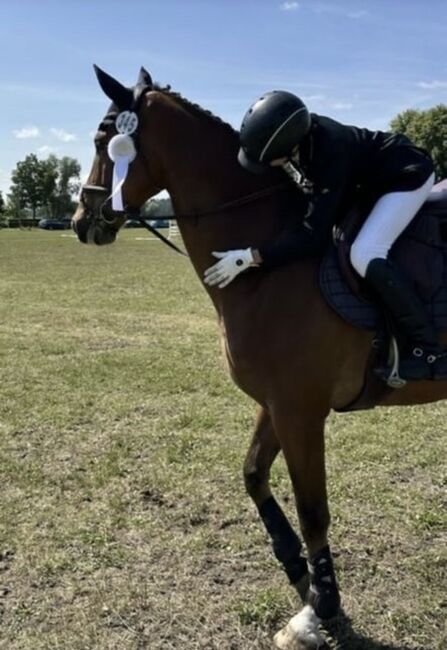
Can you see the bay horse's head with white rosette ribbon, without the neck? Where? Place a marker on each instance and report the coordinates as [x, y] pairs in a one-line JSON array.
[[122, 177]]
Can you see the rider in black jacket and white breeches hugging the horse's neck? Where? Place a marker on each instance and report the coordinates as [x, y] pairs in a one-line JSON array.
[[331, 162]]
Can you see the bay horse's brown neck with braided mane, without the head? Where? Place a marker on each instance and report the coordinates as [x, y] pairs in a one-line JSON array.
[[202, 174]]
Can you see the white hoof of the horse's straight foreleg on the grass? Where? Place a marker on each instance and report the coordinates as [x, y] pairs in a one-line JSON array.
[[301, 632]]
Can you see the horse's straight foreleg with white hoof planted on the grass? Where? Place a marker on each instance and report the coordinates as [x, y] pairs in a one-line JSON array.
[[302, 442]]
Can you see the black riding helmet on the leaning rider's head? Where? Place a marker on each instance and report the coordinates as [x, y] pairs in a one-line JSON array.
[[271, 128]]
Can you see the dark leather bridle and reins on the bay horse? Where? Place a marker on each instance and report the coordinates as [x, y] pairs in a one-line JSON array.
[[100, 216]]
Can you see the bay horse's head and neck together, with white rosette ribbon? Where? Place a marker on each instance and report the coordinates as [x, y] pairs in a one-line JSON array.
[[153, 139]]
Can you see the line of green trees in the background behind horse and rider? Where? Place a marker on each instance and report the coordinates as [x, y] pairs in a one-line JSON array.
[[50, 187]]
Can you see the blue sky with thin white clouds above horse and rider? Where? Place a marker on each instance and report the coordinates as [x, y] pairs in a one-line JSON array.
[[359, 61]]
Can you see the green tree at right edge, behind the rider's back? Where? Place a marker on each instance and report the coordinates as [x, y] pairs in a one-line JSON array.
[[427, 129]]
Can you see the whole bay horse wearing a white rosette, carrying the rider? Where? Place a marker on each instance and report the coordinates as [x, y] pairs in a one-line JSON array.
[[286, 348]]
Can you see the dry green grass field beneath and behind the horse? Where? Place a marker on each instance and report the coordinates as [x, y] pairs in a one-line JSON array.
[[124, 523]]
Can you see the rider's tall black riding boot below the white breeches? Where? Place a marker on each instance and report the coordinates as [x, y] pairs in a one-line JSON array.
[[421, 356]]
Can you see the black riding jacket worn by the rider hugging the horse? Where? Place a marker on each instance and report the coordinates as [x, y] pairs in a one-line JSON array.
[[341, 163]]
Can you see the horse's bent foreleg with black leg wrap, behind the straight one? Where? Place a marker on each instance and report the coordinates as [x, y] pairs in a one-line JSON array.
[[286, 545]]
